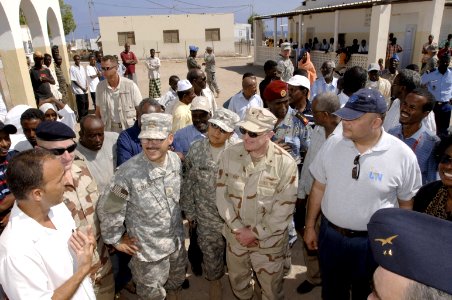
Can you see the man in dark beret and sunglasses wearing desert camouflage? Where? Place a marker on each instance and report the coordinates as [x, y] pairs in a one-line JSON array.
[[80, 196]]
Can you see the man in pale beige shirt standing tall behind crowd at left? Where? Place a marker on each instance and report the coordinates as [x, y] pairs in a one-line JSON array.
[[117, 97]]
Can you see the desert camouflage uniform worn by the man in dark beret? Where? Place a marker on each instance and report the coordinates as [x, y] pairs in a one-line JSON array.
[[81, 200]]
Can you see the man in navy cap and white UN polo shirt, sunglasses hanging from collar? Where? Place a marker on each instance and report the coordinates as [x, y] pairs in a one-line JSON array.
[[356, 174]]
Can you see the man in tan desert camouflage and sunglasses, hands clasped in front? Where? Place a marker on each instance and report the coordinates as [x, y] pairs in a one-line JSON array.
[[256, 194]]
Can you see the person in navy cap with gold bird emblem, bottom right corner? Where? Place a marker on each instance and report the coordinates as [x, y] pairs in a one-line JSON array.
[[414, 251]]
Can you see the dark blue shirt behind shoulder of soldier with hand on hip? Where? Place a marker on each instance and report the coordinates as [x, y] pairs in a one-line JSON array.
[[128, 144]]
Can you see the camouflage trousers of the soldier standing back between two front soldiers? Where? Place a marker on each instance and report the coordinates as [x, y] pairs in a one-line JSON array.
[[212, 245]]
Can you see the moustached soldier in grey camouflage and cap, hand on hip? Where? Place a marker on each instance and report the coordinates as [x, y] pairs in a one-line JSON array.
[[144, 195]]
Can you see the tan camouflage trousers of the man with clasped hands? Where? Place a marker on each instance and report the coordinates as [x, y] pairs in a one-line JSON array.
[[269, 269]]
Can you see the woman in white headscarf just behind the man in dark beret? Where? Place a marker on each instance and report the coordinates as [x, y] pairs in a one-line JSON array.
[[63, 114]]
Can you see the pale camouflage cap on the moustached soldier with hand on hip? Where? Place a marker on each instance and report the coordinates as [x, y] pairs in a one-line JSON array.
[[155, 126]]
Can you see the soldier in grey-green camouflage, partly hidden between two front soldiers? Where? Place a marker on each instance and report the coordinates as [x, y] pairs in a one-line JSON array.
[[198, 198]]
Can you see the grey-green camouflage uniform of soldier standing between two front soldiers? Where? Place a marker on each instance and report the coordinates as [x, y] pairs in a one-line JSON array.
[[198, 203]]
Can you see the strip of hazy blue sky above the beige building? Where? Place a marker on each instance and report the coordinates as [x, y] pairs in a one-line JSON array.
[[241, 8]]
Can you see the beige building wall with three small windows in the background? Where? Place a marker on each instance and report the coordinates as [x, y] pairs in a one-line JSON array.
[[149, 34]]
